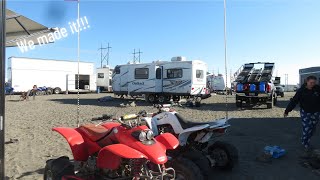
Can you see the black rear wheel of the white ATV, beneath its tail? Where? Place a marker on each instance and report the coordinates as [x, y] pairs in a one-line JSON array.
[[224, 155]]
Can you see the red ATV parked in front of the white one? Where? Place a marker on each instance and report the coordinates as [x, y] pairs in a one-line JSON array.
[[118, 150]]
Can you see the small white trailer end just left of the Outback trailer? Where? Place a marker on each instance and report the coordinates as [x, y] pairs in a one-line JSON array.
[[104, 78]]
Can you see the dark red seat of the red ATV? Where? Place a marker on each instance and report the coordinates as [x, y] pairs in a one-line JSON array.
[[94, 132]]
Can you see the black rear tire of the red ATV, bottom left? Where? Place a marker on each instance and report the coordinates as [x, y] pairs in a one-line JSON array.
[[57, 168]]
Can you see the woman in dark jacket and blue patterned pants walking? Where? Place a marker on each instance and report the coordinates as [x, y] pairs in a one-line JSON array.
[[308, 96]]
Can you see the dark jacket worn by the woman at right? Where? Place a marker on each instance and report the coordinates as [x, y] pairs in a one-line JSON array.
[[309, 100]]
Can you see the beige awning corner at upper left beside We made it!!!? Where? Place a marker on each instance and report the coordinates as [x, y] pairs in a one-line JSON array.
[[19, 27]]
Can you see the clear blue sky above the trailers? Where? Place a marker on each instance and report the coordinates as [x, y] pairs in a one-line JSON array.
[[282, 31]]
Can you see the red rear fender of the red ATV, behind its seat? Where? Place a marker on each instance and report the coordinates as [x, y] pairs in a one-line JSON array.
[[75, 141]]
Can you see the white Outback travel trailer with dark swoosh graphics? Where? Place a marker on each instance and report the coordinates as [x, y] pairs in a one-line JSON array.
[[161, 80]]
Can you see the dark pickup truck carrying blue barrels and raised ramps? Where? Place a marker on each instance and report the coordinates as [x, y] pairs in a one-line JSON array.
[[255, 85]]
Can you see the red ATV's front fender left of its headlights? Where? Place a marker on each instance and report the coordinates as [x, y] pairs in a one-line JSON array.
[[110, 156]]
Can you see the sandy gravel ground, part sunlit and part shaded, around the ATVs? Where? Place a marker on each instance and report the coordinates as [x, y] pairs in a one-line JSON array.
[[30, 122]]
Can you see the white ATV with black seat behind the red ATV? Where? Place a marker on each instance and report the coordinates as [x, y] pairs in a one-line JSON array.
[[198, 140]]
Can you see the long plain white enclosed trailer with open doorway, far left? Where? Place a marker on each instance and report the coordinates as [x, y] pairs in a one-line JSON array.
[[60, 75]]
